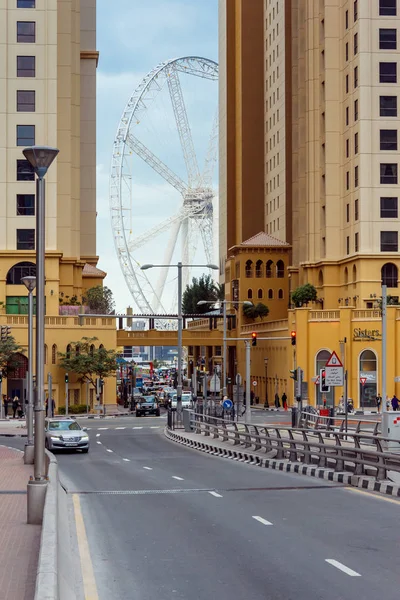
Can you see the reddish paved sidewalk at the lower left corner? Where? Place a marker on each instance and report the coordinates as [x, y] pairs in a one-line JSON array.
[[19, 542]]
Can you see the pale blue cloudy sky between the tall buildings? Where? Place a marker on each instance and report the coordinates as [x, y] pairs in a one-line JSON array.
[[133, 36]]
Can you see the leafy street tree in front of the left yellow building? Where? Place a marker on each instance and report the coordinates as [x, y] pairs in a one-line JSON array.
[[87, 361]]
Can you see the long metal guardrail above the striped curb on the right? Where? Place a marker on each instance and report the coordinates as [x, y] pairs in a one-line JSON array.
[[352, 452]]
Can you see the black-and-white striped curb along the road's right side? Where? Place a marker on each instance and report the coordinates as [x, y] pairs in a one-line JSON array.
[[366, 483]]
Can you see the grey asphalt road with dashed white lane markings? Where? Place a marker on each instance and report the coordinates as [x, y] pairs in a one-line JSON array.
[[166, 522]]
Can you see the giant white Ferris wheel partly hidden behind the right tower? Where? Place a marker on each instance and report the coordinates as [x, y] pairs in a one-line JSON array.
[[159, 101]]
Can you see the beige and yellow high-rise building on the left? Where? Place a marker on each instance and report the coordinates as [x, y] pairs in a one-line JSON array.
[[48, 63]]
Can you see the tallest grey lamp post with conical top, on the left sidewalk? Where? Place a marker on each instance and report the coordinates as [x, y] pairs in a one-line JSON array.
[[40, 157]]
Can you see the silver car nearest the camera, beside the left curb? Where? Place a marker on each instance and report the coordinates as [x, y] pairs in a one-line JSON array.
[[65, 434]]
